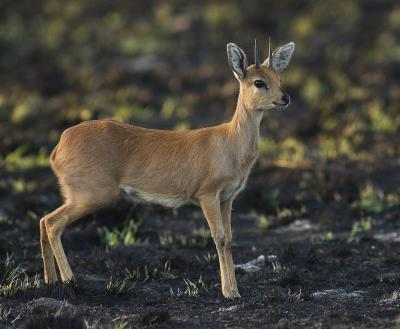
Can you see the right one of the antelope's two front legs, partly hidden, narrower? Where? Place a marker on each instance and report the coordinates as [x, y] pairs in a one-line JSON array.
[[226, 209]]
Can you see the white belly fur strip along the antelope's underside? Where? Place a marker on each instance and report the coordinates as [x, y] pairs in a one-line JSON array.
[[166, 200]]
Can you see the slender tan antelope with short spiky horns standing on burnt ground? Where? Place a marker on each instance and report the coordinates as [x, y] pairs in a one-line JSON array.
[[98, 161]]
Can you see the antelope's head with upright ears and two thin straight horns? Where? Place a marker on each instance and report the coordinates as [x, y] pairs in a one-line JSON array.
[[260, 86]]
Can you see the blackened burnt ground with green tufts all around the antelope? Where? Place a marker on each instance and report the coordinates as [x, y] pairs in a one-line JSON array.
[[319, 217]]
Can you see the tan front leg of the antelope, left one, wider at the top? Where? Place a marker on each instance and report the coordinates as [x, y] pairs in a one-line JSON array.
[[210, 204]]
